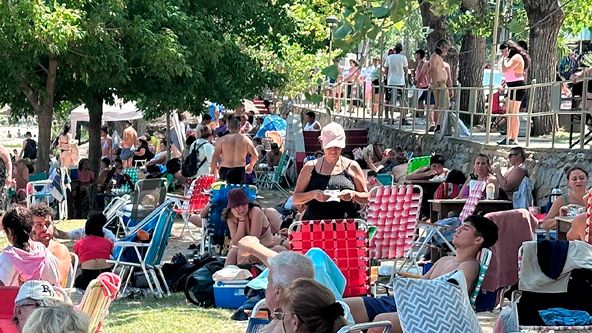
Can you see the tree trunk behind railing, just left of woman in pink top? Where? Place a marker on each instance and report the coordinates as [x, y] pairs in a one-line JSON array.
[[472, 55]]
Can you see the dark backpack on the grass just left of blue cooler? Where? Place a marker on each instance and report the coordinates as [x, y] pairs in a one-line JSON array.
[[199, 287]]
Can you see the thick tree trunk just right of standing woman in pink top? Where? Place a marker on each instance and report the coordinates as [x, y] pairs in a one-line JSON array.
[[545, 18]]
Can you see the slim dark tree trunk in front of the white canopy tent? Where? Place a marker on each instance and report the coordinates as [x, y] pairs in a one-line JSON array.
[[95, 112]]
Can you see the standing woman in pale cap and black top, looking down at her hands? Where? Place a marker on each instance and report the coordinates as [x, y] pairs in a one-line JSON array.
[[332, 172]]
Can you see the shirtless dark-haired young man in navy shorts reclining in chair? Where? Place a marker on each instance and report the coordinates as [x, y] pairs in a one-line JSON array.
[[476, 233]]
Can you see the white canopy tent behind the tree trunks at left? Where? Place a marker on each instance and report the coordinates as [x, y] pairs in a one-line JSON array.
[[119, 111]]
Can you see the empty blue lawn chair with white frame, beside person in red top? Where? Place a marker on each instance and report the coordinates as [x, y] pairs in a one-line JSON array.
[[131, 254]]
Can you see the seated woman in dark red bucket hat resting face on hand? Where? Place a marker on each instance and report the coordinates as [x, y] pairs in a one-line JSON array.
[[245, 219]]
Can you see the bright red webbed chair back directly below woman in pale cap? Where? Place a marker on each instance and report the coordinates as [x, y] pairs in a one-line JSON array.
[[345, 241]]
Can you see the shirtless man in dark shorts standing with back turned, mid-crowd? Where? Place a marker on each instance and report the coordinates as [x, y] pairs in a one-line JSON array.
[[231, 151]]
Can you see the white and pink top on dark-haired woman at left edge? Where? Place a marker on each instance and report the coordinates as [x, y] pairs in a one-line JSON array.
[[10, 277]]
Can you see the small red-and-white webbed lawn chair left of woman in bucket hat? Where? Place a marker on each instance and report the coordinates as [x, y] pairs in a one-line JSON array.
[[195, 200]]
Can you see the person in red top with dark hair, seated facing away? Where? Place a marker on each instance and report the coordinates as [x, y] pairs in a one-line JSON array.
[[93, 250]]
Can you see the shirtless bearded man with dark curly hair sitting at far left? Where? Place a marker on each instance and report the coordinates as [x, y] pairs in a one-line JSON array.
[[43, 232]]
